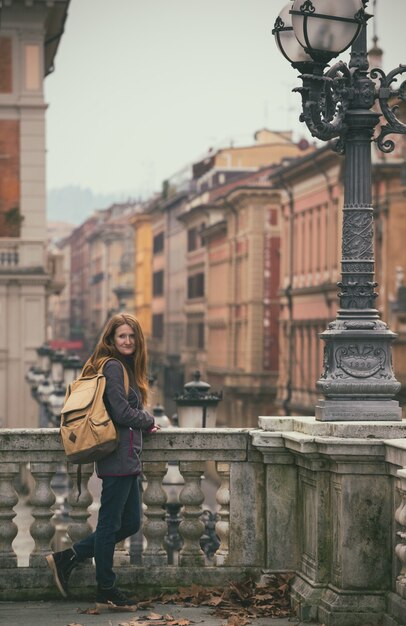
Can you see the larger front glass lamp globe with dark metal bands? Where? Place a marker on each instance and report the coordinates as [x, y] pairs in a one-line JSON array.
[[325, 28]]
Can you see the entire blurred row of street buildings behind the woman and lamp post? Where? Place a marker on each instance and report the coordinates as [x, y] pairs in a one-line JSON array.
[[234, 272]]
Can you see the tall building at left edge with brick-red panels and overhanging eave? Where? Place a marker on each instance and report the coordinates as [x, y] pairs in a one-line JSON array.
[[29, 37]]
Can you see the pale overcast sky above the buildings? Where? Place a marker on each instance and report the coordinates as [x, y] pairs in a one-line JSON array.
[[141, 88]]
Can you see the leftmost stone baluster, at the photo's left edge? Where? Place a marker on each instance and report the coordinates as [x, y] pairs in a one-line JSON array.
[[8, 500]]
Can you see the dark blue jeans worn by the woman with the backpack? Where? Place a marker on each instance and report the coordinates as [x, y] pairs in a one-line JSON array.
[[119, 518]]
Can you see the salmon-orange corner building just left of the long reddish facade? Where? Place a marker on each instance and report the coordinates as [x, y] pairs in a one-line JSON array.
[[242, 307]]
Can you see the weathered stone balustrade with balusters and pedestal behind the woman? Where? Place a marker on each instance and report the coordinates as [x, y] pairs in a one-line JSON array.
[[324, 500]]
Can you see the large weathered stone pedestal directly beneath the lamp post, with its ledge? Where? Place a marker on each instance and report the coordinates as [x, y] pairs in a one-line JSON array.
[[345, 516]]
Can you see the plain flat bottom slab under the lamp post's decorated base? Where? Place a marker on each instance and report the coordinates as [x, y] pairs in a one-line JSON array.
[[358, 410]]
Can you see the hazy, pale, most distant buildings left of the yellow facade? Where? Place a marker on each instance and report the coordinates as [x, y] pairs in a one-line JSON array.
[[99, 266]]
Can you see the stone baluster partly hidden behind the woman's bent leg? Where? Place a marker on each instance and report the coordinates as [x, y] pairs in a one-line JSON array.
[[79, 514]]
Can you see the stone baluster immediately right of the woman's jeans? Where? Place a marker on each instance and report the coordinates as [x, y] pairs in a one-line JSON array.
[[155, 527]]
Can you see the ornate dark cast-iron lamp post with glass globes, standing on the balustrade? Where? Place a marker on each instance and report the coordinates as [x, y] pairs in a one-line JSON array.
[[358, 382]]
